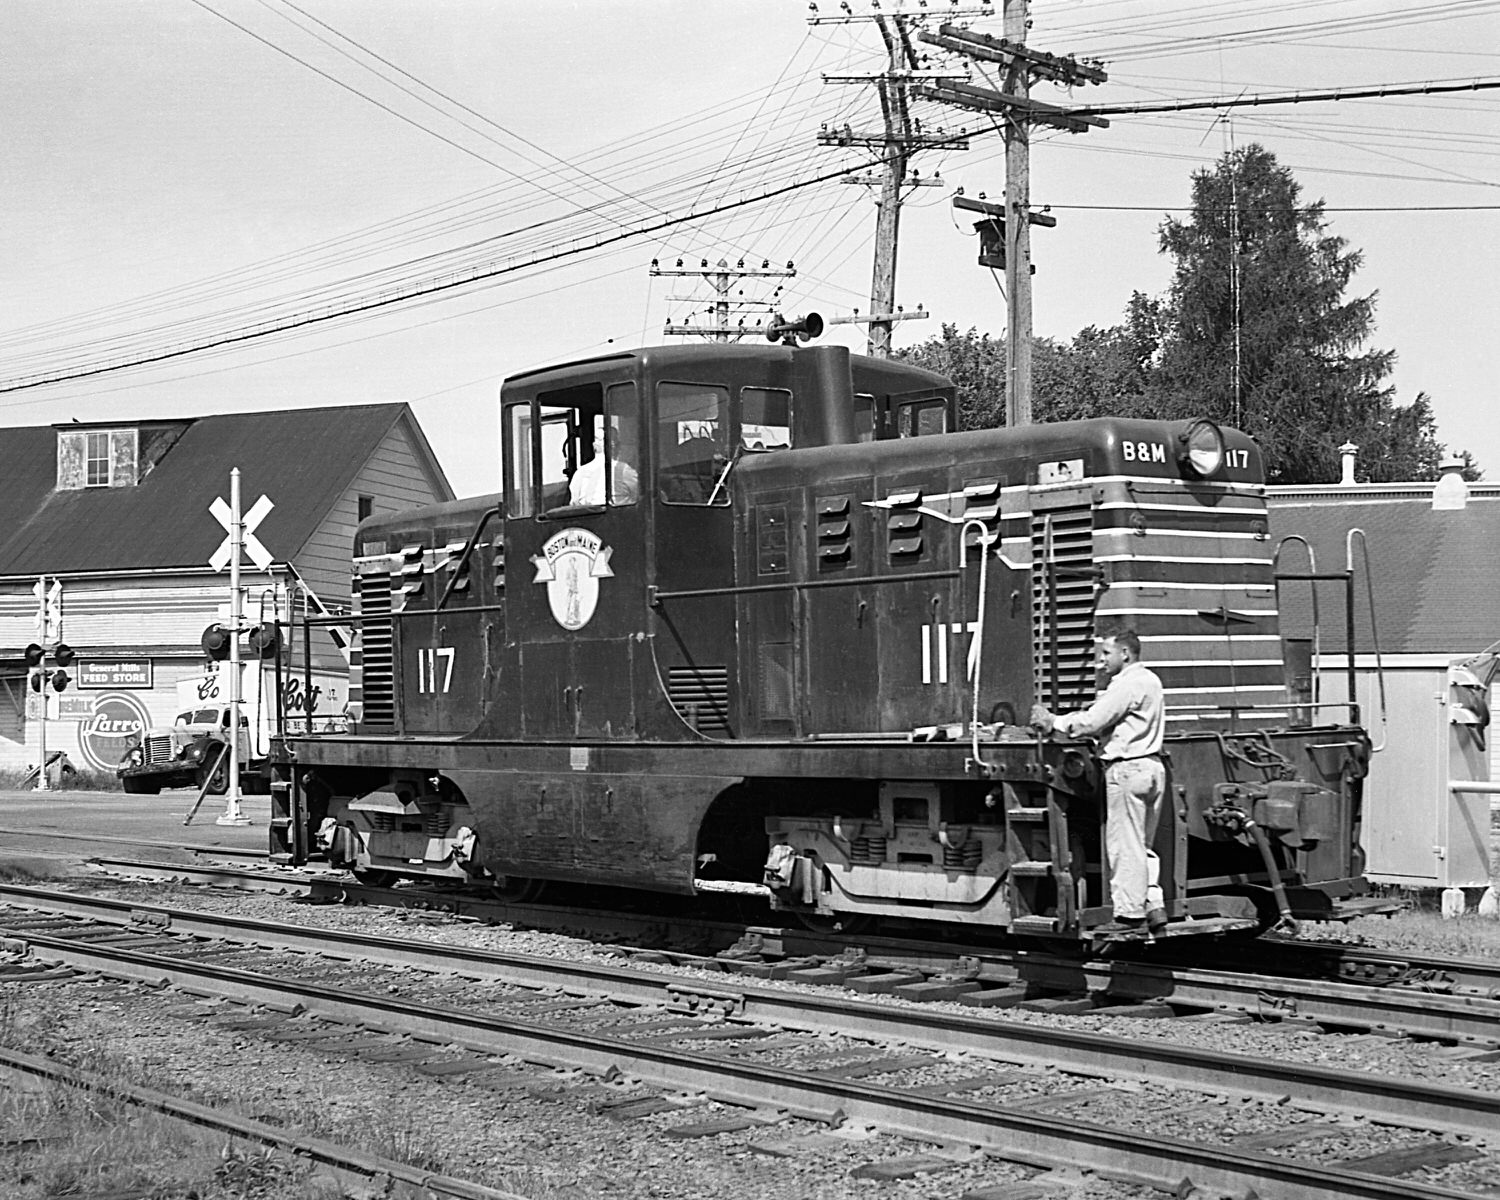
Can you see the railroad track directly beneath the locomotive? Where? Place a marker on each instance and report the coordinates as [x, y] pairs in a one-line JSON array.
[[1312, 983]]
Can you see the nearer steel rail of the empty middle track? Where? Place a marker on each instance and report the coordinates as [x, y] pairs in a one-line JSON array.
[[1007, 1133]]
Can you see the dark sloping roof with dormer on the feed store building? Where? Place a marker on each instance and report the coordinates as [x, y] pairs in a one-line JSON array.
[[304, 460]]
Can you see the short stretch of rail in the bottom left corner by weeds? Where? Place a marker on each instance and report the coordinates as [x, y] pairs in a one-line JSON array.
[[233, 1124]]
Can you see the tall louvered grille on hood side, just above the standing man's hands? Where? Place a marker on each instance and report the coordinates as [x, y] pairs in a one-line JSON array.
[[1076, 589]]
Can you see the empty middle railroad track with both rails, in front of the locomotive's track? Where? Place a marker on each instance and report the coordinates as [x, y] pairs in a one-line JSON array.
[[755, 1051]]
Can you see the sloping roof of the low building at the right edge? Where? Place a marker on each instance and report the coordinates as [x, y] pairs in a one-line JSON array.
[[1436, 574]]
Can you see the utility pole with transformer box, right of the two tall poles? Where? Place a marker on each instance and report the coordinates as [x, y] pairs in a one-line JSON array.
[[1019, 112]]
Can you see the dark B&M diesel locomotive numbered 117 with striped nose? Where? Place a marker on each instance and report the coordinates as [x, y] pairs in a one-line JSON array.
[[760, 619]]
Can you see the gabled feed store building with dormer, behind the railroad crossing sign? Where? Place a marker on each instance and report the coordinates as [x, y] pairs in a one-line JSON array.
[[116, 517]]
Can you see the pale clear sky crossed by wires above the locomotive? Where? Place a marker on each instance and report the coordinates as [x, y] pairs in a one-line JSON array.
[[500, 176]]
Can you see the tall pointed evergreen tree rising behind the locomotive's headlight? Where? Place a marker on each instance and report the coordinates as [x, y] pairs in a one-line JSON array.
[[1256, 332]]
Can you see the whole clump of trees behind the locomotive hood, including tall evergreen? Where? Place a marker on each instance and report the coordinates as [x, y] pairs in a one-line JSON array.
[[1255, 332]]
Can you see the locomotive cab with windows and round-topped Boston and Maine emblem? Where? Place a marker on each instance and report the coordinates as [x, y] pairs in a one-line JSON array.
[[620, 490]]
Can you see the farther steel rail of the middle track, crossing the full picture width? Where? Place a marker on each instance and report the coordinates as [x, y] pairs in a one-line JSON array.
[[1390, 1100]]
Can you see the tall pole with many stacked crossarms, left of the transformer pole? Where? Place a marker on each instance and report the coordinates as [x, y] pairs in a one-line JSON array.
[[899, 140]]
